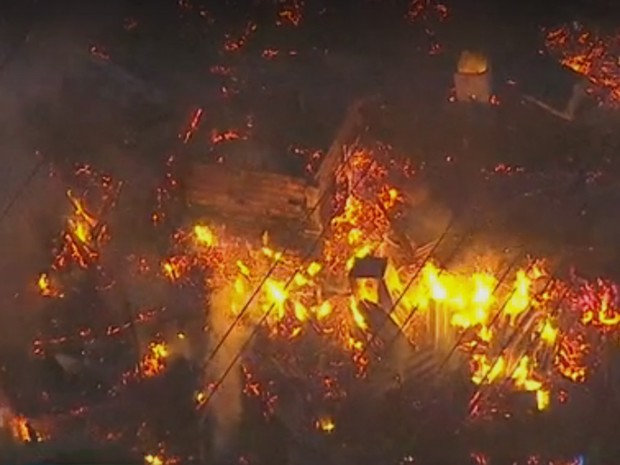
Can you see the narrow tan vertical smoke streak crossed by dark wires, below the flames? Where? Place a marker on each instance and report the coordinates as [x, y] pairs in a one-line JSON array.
[[225, 405]]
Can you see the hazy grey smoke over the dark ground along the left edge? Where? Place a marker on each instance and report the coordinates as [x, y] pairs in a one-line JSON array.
[[56, 110]]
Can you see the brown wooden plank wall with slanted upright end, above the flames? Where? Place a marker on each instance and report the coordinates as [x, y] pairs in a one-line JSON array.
[[260, 198]]
